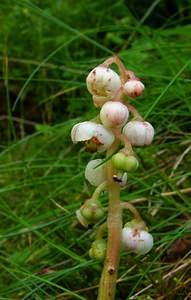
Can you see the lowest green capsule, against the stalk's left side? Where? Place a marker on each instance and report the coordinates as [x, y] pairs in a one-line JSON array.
[[98, 250]]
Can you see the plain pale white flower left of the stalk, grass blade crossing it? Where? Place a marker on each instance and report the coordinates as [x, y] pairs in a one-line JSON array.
[[95, 175]]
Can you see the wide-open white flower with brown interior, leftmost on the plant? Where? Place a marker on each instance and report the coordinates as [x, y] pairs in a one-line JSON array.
[[96, 133]]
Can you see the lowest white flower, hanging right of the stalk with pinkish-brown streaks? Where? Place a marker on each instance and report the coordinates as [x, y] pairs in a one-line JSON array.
[[136, 240]]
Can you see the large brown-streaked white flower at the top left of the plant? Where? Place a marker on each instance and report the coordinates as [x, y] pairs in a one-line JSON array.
[[103, 81]]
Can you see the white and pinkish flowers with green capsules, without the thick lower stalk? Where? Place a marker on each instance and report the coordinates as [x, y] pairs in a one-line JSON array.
[[109, 90]]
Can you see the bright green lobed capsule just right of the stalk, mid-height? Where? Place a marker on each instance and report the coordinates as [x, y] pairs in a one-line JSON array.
[[126, 163]]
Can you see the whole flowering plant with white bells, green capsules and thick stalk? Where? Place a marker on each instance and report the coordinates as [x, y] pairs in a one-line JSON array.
[[112, 131]]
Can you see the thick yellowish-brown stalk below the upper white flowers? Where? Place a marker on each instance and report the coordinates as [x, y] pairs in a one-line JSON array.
[[108, 279]]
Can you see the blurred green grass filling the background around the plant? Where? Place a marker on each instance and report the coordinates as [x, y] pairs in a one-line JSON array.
[[48, 48]]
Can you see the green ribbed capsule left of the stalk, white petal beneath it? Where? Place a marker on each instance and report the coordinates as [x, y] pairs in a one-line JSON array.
[[92, 211]]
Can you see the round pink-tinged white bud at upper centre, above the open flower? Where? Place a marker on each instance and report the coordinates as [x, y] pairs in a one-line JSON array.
[[114, 114]]
